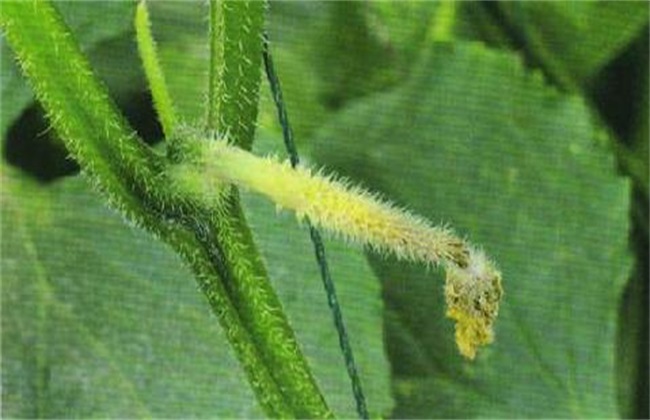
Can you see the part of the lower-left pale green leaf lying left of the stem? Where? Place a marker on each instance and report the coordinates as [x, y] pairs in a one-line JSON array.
[[99, 319]]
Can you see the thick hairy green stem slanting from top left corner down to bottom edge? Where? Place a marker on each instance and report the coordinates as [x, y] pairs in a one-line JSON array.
[[133, 177]]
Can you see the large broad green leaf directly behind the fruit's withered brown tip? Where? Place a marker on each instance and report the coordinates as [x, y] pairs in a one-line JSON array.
[[475, 140]]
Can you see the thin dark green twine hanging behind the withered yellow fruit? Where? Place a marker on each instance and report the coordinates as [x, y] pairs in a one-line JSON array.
[[319, 249]]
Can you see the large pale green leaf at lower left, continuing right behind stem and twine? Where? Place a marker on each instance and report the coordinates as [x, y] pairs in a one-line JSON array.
[[100, 319]]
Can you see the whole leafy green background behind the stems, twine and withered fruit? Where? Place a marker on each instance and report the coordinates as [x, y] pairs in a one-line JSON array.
[[523, 124]]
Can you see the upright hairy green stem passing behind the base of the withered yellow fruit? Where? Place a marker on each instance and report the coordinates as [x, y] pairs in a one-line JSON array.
[[233, 90]]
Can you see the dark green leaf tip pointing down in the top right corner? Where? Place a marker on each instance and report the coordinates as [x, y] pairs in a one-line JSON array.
[[572, 41]]
